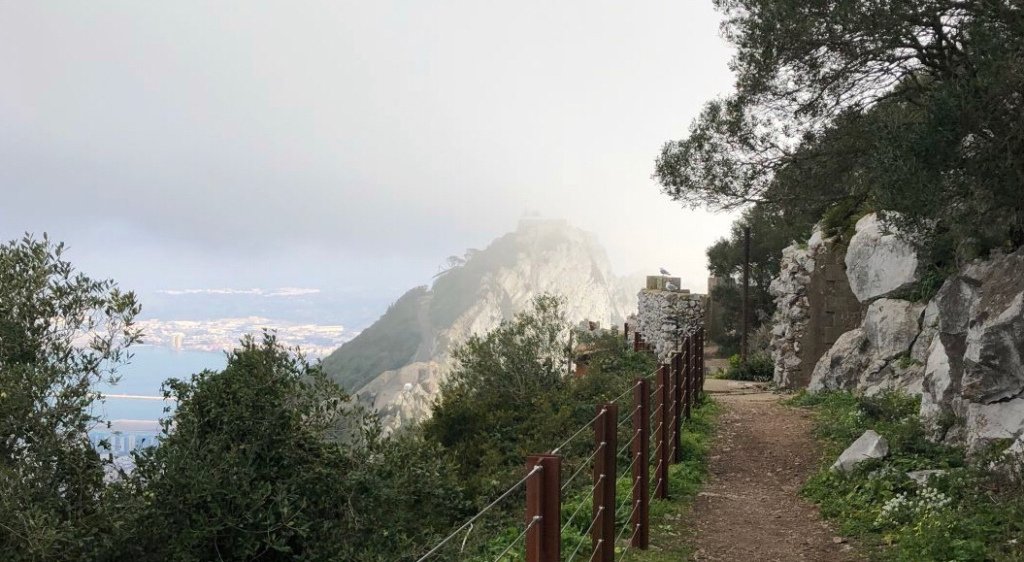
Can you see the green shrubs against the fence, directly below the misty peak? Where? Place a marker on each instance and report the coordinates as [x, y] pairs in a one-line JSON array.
[[508, 397]]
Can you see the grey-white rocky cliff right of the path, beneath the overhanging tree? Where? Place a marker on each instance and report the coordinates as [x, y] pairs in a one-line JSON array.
[[963, 352]]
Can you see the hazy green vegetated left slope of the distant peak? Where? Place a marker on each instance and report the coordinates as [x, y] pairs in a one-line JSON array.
[[390, 343]]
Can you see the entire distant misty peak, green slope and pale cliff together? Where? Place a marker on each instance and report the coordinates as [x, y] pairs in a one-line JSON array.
[[542, 256]]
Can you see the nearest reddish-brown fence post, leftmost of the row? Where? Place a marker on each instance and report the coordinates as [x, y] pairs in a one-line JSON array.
[[544, 507]]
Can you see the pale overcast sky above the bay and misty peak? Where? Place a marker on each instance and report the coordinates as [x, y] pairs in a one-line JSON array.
[[347, 145]]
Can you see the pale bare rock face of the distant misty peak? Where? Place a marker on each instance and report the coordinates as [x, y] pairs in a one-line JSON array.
[[541, 257]]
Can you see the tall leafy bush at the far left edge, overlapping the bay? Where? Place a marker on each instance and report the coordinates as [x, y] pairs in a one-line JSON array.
[[61, 333]]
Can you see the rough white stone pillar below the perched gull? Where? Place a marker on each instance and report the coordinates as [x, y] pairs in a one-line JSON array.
[[665, 317]]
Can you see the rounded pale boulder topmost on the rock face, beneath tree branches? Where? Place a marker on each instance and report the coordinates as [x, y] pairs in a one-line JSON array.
[[878, 263]]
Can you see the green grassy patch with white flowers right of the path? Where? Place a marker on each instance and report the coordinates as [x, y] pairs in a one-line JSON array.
[[968, 513]]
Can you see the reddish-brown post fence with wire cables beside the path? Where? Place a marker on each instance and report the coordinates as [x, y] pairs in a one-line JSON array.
[[661, 406]]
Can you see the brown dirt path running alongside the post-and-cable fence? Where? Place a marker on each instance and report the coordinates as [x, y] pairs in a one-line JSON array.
[[751, 509]]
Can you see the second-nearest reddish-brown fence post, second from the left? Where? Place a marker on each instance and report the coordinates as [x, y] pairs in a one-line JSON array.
[[606, 463]]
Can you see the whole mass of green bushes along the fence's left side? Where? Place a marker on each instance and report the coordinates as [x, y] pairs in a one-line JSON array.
[[271, 460]]
